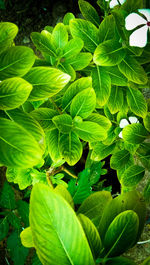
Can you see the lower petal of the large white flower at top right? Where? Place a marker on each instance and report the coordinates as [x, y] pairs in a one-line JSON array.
[[139, 37]]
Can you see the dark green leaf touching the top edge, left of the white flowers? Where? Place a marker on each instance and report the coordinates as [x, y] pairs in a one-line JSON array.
[[89, 12]]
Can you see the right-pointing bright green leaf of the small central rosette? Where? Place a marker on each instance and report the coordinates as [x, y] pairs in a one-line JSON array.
[[90, 131]]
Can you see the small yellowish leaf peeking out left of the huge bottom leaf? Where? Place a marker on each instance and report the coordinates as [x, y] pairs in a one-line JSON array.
[[26, 238]]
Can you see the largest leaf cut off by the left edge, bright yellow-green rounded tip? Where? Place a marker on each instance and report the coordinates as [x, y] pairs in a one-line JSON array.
[[18, 147]]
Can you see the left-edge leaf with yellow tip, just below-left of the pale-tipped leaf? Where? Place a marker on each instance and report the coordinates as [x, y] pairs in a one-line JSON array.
[[13, 92]]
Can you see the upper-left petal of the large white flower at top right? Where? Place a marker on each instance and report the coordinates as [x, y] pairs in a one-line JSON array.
[[133, 20]]
